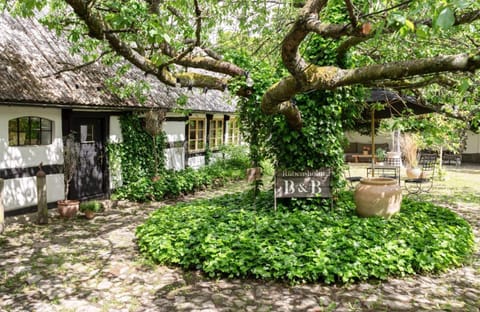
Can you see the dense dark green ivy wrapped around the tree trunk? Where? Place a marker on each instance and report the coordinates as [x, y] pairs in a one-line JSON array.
[[326, 116]]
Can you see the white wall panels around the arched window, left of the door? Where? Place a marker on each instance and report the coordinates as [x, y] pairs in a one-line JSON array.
[[21, 192]]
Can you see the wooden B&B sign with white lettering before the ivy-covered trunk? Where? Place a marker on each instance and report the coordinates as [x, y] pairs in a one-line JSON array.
[[303, 184]]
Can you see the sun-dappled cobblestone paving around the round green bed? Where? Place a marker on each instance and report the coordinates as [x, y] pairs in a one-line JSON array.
[[82, 265]]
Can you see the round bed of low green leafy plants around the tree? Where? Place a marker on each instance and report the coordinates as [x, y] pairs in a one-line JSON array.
[[234, 236]]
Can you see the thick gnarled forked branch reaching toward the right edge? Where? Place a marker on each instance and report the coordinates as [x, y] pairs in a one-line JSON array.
[[305, 76]]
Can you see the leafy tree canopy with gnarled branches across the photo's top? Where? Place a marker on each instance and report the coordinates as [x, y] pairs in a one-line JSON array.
[[396, 44]]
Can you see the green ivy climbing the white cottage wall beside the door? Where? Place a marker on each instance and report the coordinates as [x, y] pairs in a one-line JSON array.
[[136, 154]]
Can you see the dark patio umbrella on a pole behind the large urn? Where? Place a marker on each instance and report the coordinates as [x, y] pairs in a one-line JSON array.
[[395, 106]]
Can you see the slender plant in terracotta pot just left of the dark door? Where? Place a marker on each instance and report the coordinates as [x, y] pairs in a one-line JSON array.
[[67, 207]]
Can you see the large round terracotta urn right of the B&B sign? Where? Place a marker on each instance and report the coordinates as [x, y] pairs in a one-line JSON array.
[[377, 197]]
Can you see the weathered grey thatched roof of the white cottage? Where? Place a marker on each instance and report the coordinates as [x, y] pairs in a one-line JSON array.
[[30, 55]]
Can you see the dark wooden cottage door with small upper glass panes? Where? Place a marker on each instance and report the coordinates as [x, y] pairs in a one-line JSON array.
[[90, 178]]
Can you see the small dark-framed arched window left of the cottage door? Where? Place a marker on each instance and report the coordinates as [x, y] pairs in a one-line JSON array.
[[30, 130]]
